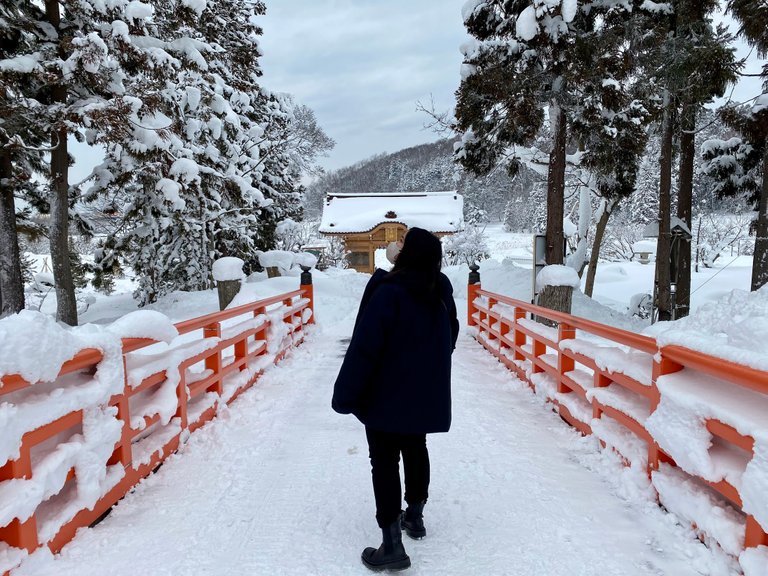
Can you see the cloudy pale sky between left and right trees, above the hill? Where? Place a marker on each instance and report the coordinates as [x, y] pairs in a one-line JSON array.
[[362, 65]]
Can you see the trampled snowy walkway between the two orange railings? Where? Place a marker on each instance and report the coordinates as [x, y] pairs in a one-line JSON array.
[[280, 484]]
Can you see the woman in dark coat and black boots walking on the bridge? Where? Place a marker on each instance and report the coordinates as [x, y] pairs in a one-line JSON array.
[[396, 379]]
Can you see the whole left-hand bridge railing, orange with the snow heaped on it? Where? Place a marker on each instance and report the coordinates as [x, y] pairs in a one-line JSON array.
[[73, 444]]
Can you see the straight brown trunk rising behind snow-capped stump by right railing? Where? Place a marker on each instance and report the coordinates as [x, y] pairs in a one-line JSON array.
[[556, 186]]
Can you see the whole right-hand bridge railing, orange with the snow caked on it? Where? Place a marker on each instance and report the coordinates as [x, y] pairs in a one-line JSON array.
[[696, 423]]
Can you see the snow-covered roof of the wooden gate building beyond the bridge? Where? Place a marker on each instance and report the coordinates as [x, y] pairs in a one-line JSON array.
[[357, 213]]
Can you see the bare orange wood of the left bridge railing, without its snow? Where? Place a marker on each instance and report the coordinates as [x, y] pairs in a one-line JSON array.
[[225, 381]]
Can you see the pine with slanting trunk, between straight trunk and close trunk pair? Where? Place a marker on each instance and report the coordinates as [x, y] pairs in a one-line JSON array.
[[609, 119]]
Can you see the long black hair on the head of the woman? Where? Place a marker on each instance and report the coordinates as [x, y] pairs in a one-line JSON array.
[[419, 261]]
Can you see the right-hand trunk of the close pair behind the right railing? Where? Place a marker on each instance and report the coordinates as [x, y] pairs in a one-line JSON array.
[[684, 202]]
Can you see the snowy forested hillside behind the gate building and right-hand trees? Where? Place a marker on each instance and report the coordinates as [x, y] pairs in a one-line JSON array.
[[520, 200]]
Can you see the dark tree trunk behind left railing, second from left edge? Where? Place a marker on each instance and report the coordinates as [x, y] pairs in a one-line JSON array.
[[66, 305]]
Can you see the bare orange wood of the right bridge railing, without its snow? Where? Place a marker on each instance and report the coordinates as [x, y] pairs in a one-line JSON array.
[[530, 345]]
